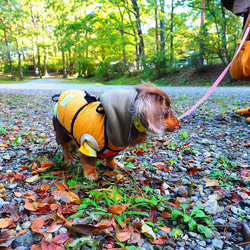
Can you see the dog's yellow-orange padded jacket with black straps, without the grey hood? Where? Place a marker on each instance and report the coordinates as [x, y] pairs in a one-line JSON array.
[[83, 117]]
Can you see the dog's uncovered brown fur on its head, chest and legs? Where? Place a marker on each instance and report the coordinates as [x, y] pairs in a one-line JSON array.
[[153, 108]]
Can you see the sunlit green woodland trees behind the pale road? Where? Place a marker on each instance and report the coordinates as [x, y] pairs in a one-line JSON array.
[[112, 38]]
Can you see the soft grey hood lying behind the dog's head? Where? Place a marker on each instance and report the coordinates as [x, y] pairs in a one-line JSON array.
[[118, 105]]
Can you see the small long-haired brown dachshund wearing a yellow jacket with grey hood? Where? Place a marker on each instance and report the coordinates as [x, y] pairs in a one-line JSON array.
[[103, 127]]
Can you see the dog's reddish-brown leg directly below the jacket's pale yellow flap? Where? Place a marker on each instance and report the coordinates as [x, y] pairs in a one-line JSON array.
[[89, 167]]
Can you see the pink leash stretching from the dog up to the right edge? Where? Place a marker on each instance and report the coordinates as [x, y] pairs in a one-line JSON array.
[[218, 79]]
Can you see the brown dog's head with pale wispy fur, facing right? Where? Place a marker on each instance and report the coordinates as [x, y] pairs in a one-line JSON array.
[[153, 108]]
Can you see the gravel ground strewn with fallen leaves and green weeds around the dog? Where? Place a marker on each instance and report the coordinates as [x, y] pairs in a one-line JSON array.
[[186, 190]]
